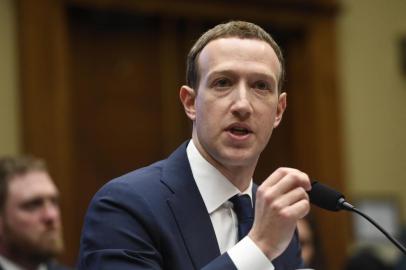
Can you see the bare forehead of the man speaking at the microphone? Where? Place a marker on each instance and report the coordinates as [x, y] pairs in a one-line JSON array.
[[234, 53]]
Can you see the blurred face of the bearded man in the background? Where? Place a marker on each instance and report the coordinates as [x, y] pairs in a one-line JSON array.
[[31, 224]]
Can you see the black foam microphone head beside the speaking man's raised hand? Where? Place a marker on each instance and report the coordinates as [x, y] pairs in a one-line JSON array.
[[325, 197]]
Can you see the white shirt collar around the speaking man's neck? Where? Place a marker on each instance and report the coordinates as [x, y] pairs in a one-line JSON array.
[[214, 187]]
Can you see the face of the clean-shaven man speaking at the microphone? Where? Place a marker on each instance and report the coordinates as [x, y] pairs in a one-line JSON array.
[[237, 104]]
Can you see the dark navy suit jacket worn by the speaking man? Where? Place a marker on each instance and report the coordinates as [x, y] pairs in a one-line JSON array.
[[155, 218]]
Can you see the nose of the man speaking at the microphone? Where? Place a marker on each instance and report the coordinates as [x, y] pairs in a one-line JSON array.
[[241, 106]]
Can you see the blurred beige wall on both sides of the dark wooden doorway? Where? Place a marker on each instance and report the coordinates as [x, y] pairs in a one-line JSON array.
[[371, 82]]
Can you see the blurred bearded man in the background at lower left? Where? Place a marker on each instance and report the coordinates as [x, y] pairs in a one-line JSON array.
[[30, 223]]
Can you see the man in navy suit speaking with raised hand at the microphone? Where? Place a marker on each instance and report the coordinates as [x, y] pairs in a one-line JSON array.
[[194, 210]]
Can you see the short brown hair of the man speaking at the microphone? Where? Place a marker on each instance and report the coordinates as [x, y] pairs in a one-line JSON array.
[[239, 29]]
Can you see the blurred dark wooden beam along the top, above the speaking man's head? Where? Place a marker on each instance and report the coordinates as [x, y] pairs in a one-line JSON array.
[[287, 13]]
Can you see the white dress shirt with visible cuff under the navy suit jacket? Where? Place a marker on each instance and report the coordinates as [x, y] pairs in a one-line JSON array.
[[216, 190]]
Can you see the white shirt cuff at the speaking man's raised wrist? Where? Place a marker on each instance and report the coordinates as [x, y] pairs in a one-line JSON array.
[[246, 255]]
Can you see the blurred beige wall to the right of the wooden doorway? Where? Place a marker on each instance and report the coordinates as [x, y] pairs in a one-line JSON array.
[[373, 91]]
